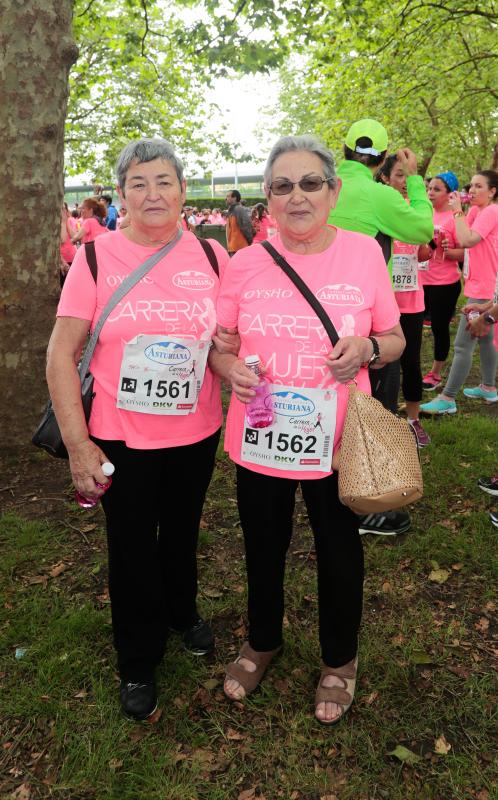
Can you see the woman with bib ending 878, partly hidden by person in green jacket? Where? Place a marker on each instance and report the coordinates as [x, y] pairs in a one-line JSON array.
[[410, 298]]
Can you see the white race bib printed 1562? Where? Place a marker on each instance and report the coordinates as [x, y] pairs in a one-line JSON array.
[[301, 437]]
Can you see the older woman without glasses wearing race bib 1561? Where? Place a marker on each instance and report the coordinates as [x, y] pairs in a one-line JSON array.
[[156, 414]]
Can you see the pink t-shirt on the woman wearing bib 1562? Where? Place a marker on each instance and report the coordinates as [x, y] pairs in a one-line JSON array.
[[275, 321]]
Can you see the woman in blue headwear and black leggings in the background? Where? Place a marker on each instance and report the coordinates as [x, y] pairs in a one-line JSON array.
[[441, 281]]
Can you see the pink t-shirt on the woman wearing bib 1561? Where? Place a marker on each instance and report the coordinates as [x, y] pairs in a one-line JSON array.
[[165, 301]]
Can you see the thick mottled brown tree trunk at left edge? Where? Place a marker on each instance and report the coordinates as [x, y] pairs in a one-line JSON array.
[[37, 50]]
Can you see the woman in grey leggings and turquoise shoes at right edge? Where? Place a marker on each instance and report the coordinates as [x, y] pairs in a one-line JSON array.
[[478, 233]]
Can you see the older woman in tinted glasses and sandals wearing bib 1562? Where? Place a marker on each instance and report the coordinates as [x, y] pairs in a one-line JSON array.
[[346, 272]]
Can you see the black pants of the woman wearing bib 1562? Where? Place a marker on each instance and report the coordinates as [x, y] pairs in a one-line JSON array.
[[266, 505]]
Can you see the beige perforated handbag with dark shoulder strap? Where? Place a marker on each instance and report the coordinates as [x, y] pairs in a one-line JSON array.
[[379, 467]]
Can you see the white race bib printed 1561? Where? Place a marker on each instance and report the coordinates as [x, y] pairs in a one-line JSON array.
[[161, 374]]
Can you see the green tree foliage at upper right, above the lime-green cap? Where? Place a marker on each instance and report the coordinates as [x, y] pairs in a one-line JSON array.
[[428, 71]]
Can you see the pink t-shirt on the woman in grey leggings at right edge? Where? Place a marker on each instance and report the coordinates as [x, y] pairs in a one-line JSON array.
[[483, 257]]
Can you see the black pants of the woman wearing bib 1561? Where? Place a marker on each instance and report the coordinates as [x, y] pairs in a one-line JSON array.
[[153, 510]]
